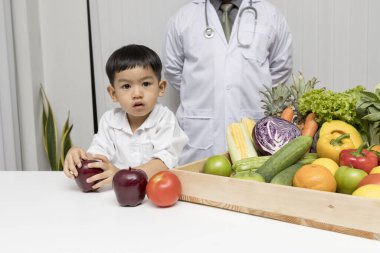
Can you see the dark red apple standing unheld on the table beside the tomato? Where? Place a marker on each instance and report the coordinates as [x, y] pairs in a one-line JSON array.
[[129, 186]]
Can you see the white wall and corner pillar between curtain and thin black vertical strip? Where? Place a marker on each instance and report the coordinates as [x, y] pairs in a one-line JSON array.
[[51, 48]]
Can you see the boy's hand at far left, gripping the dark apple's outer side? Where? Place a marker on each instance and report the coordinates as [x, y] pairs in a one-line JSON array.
[[74, 158]]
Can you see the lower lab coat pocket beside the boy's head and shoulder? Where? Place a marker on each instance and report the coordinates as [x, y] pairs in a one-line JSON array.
[[197, 124]]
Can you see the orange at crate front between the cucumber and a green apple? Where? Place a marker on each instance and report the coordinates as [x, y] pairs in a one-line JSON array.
[[316, 177]]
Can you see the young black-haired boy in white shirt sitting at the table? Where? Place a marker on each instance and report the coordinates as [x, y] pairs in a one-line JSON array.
[[141, 133]]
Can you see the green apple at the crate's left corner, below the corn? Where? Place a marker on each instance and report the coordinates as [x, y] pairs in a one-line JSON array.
[[217, 165]]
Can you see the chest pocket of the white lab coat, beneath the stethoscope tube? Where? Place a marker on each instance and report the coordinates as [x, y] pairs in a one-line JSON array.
[[255, 43]]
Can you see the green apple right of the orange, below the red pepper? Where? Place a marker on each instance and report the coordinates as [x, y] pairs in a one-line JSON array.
[[348, 179]]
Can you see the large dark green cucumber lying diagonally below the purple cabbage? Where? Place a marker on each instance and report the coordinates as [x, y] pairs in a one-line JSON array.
[[288, 155]]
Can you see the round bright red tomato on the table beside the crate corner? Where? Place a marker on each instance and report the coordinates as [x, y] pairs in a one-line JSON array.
[[164, 189]]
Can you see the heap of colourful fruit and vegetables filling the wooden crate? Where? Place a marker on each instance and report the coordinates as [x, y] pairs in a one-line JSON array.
[[310, 138]]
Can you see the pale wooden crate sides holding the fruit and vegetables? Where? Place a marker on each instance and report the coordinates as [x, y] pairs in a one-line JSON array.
[[341, 213]]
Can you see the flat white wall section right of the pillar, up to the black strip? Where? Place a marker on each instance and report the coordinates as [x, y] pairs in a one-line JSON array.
[[66, 64]]
